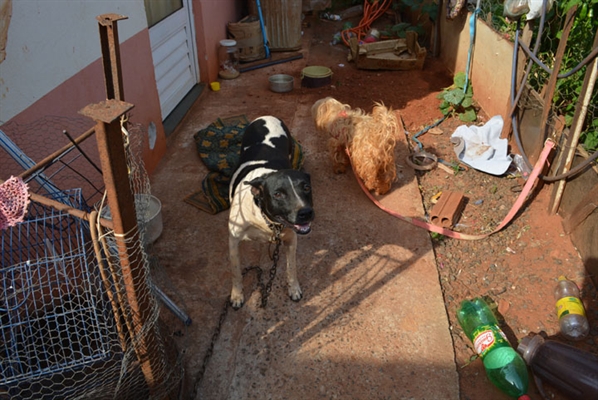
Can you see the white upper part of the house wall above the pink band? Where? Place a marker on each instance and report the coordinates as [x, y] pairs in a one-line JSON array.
[[49, 41]]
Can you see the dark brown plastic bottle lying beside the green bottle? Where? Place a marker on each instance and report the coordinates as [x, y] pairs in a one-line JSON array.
[[572, 371]]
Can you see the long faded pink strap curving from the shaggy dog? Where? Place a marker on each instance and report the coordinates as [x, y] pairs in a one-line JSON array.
[[549, 145]]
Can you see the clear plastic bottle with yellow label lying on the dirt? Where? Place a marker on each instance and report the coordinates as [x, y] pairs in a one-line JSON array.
[[572, 316]]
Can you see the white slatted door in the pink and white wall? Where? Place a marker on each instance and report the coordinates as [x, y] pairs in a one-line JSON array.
[[173, 50]]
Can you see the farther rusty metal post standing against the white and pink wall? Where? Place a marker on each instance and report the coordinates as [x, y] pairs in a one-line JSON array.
[[111, 55]]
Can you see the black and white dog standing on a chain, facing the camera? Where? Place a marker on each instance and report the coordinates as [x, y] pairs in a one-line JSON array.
[[268, 196]]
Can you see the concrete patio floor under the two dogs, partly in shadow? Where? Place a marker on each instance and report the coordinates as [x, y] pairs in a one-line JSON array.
[[372, 322]]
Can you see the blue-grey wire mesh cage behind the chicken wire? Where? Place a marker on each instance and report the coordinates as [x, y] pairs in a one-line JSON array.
[[54, 313]]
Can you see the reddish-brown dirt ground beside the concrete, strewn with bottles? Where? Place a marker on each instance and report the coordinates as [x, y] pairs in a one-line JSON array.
[[516, 268]]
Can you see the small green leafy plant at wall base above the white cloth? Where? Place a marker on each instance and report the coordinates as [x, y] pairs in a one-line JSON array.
[[458, 100]]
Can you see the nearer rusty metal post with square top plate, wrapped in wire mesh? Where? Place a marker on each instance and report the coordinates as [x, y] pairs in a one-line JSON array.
[[107, 115]]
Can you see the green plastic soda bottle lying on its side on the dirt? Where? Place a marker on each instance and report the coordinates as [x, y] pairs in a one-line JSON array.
[[504, 366]]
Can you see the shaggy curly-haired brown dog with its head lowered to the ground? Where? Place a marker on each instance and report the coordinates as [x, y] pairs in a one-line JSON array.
[[370, 139]]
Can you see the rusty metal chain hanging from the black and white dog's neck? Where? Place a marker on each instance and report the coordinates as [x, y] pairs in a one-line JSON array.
[[265, 292]]
